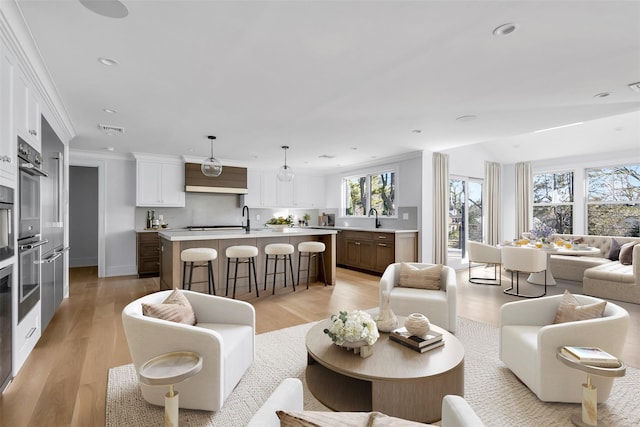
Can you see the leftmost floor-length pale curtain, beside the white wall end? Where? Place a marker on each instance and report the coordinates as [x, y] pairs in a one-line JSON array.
[[440, 207]]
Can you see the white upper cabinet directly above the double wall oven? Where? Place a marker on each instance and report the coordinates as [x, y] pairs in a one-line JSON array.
[[26, 110]]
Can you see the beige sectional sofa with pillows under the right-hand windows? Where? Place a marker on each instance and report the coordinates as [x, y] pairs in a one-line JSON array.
[[600, 276]]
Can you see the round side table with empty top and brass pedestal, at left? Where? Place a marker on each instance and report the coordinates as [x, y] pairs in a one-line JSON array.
[[169, 369]]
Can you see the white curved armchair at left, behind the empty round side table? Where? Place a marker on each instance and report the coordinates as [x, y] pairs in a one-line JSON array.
[[224, 336]]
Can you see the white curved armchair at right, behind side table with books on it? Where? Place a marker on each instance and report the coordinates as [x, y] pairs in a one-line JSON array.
[[529, 342]]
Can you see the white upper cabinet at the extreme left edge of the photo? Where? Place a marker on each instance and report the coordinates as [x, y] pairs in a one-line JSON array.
[[8, 160]]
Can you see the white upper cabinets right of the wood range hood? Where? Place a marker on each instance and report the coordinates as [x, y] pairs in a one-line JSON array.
[[265, 190]]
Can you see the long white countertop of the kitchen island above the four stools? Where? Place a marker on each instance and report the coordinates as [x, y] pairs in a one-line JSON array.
[[186, 235]]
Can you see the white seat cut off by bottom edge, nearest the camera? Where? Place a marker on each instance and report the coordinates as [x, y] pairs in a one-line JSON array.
[[288, 396]]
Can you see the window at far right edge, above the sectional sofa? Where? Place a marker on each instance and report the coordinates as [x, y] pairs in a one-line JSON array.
[[613, 201]]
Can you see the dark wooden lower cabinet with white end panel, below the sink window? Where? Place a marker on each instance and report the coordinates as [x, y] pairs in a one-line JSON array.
[[373, 251]]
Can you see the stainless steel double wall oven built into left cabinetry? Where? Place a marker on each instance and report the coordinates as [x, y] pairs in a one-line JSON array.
[[29, 236]]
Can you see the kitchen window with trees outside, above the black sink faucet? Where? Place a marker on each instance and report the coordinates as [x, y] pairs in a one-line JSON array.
[[371, 191]]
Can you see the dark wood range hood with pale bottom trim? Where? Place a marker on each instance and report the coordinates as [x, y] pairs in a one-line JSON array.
[[232, 180]]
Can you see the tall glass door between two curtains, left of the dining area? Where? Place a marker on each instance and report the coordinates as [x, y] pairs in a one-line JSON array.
[[465, 214]]
